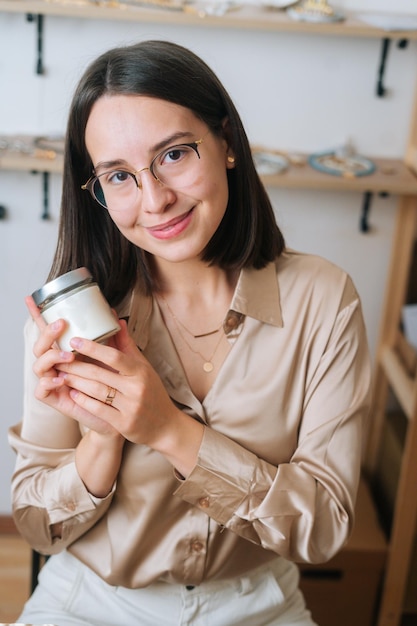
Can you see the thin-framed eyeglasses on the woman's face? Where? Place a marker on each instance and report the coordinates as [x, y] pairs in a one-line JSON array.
[[176, 167]]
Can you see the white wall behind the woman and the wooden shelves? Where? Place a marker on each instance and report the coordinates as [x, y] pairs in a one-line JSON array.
[[294, 92]]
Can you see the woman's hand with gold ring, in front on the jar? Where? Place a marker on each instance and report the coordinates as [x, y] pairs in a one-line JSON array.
[[141, 409]]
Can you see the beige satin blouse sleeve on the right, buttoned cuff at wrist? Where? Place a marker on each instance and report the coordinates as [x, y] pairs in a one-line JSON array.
[[302, 509]]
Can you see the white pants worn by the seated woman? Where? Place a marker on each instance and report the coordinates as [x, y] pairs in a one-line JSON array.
[[70, 594]]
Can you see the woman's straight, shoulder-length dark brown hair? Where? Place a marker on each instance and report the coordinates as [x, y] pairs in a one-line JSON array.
[[248, 235]]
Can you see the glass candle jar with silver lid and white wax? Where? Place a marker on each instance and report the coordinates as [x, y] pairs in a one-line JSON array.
[[78, 300]]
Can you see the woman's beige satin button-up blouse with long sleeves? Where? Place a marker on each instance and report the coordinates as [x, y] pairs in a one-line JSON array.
[[279, 463]]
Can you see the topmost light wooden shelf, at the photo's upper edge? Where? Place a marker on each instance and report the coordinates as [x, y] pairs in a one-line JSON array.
[[246, 17]]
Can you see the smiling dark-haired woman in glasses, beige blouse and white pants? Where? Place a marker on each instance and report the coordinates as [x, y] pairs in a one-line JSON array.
[[177, 473]]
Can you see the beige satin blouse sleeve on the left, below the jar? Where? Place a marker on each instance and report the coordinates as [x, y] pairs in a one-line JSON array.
[[46, 487]]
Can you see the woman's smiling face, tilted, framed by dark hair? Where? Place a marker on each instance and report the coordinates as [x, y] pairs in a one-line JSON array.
[[126, 133]]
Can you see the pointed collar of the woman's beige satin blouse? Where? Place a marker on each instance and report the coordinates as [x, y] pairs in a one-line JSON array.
[[256, 295]]
